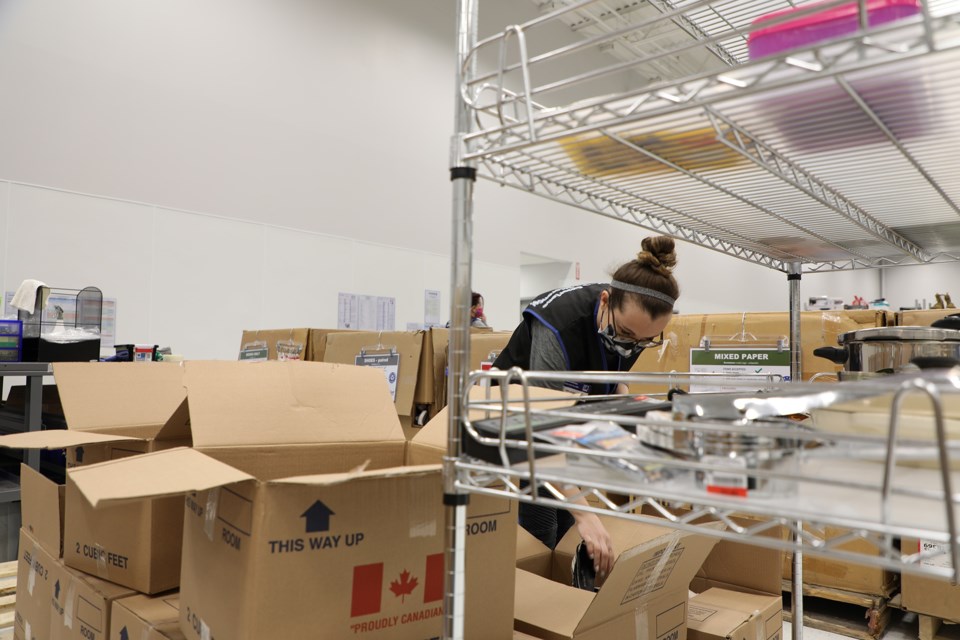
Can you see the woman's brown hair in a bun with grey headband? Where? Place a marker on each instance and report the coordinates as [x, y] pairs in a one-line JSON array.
[[652, 269]]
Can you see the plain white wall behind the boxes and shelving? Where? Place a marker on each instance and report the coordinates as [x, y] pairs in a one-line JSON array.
[[254, 157]]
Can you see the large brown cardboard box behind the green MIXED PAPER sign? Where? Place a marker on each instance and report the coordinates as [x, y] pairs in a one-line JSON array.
[[817, 329]]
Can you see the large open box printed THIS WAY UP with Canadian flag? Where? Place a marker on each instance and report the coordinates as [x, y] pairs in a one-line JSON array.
[[283, 535]]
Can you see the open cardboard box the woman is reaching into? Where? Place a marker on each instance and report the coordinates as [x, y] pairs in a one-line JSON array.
[[644, 596]]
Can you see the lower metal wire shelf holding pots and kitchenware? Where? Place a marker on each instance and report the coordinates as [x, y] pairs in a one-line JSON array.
[[870, 497]]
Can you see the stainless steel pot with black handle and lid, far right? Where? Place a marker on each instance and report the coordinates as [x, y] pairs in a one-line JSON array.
[[893, 349]]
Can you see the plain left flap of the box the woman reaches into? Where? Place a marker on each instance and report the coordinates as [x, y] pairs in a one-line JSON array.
[[542, 605]]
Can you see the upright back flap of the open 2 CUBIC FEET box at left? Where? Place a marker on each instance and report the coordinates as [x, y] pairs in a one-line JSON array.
[[130, 398]]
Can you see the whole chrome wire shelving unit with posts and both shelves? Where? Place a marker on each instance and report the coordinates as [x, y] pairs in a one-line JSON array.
[[835, 155]]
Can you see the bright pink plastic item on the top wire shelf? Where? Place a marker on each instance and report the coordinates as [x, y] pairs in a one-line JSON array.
[[822, 25]]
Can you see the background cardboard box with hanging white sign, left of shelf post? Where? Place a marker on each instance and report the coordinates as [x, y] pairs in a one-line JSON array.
[[345, 347]]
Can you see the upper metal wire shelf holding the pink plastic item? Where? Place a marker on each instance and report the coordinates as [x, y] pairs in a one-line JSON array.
[[830, 150]]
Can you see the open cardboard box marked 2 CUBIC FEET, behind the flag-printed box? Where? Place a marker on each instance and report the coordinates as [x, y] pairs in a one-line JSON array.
[[113, 410]]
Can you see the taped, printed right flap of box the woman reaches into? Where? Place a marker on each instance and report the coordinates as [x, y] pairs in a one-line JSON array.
[[649, 570]]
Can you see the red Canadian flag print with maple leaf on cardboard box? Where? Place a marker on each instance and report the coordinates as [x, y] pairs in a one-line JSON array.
[[370, 586]]
